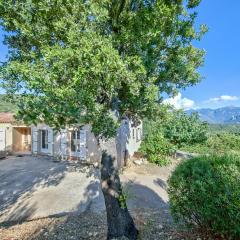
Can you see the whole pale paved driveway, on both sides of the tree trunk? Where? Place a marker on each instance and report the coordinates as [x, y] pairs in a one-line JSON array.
[[36, 187]]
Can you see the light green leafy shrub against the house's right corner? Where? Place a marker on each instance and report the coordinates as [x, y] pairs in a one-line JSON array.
[[156, 148]]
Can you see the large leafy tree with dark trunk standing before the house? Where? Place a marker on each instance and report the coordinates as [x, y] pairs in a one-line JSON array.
[[76, 61]]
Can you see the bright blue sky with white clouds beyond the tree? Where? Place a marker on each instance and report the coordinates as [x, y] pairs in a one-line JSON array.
[[221, 83]]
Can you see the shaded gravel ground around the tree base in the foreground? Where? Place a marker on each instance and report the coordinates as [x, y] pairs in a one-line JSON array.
[[91, 226]]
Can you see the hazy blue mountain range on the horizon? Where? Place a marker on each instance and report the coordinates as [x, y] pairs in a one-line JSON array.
[[225, 115]]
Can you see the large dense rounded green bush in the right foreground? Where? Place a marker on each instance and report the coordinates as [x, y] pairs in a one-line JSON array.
[[205, 192]]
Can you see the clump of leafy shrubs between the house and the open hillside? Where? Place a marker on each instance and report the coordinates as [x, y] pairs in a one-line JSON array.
[[171, 130]]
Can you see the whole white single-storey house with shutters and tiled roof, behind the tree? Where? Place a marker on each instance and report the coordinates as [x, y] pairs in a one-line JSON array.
[[70, 143]]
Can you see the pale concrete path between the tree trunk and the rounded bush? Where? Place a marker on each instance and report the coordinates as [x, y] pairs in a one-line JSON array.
[[146, 187]]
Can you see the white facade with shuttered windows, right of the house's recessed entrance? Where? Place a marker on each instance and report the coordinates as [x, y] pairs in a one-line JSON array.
[[80, 143]]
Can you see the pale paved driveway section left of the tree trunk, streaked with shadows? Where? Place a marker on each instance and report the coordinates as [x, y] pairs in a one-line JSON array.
[[34, 187]]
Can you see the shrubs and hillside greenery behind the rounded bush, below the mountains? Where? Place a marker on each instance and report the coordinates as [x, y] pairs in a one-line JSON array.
[[175, 130]]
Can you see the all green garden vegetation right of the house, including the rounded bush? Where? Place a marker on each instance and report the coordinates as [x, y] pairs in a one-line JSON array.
[[203, 191]]
